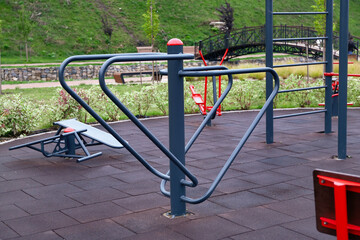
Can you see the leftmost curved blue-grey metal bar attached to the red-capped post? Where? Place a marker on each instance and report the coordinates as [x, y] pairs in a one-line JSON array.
[[138, 57]]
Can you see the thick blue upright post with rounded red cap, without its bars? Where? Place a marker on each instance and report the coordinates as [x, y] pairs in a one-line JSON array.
[[176, 127]]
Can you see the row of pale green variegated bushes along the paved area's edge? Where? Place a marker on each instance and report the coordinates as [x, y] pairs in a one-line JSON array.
[[20, 115]]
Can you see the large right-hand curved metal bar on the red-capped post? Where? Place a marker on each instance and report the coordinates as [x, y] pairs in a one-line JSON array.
[[246, 135]]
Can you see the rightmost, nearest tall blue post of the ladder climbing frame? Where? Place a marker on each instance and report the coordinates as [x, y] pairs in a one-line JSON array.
[[343, 70]]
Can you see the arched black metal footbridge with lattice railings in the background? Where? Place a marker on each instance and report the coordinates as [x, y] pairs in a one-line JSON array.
[[250, 40]]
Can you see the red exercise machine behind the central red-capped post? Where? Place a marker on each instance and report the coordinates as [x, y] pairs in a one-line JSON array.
[[202, 102]]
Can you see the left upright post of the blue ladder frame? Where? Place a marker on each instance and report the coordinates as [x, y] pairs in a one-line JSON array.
[[269, 63]]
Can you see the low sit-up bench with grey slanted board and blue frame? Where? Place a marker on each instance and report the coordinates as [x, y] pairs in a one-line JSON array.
[[71, 136]]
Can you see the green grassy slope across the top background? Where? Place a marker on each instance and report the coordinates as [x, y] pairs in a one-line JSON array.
[[62, 29]]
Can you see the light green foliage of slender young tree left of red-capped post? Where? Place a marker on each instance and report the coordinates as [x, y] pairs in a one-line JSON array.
[[151, 25]]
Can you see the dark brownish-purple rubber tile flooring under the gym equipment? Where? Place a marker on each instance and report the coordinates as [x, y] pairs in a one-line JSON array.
[[266, 194]]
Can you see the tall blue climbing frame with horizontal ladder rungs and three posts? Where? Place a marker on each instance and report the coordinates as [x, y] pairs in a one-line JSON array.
[[343, 60]]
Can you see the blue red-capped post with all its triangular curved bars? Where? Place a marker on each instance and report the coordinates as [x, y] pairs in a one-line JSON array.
[[177, 149]]
